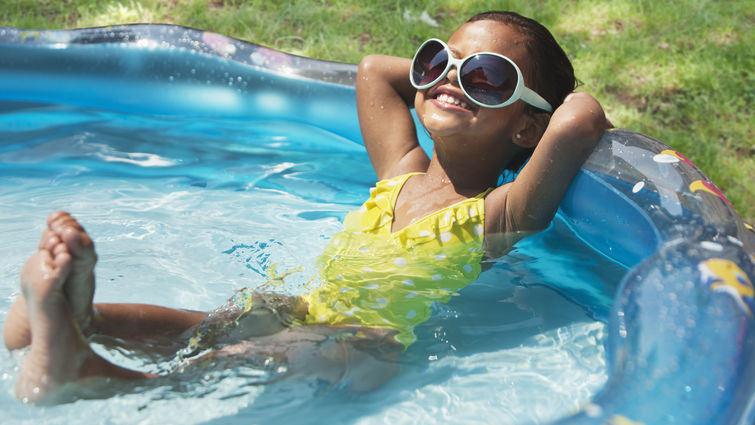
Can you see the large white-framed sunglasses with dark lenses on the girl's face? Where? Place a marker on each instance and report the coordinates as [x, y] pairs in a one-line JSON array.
[[487, 79]]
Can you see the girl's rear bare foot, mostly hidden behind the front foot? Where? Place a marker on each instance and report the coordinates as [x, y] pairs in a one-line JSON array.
[[78, 286]]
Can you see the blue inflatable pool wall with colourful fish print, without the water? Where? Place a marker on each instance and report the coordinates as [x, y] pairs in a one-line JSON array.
[[681, 343]]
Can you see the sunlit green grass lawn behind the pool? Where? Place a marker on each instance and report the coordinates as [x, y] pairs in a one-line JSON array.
[[681, 71]]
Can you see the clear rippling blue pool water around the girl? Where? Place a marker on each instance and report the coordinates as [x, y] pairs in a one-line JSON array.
[[185, 211]]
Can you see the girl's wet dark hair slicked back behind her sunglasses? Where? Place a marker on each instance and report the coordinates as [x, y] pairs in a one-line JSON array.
[[551, 74]]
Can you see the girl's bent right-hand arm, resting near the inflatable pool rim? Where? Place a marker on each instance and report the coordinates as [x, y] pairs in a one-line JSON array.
[[531, 200]]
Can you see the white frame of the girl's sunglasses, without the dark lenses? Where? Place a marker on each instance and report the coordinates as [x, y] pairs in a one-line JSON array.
[[520, 91]]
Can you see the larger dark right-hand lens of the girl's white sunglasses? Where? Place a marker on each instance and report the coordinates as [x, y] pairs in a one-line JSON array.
[[488, 79]]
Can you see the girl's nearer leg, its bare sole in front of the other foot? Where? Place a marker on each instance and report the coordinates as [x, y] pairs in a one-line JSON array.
[[360, 358]]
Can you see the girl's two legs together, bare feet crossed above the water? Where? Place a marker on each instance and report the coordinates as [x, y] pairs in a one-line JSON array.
[[56, 304]]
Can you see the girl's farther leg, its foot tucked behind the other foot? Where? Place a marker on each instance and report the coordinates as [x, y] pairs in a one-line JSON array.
[[149, 327]]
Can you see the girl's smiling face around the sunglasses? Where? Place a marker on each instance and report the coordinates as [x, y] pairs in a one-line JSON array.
[[444, 110]]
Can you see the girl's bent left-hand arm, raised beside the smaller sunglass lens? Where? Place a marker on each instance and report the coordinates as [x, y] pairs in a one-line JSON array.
[[383, 98]]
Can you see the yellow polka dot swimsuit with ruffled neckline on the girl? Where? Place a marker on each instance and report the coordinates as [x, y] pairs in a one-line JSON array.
[[378, 278]]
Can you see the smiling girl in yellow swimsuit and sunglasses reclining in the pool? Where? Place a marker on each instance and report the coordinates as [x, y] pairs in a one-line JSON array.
[[497, 92]]
